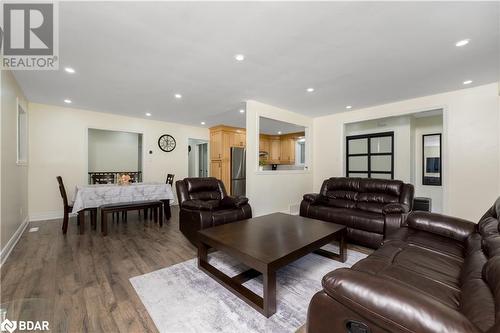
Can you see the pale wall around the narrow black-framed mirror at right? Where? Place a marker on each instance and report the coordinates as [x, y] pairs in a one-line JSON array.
[[426, 125]]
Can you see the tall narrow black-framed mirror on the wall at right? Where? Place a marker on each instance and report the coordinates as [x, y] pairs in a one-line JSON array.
[[431, 159]]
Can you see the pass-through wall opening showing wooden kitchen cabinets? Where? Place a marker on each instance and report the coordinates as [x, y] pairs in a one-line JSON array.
[[282, 145]]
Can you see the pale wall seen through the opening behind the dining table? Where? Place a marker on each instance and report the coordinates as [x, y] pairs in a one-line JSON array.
[[113, 151]]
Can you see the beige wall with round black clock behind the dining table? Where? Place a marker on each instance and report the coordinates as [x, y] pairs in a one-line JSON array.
[[58, 146]]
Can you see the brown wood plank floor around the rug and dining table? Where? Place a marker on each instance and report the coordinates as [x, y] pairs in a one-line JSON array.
[[80, 283]]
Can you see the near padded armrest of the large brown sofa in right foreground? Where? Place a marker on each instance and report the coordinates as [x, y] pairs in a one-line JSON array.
[[392, 304]]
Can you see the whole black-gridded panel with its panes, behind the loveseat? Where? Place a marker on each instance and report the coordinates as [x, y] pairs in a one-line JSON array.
[[370, 155]]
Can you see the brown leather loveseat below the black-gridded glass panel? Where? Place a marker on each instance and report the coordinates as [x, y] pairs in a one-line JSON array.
[[370, 208]]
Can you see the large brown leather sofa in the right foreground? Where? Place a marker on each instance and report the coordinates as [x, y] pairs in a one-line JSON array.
[[437, 274]]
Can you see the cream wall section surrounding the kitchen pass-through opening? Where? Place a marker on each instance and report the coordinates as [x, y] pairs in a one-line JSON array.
[[274, 191]]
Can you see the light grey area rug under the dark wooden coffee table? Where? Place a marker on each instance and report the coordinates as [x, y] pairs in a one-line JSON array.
[[181, 298]]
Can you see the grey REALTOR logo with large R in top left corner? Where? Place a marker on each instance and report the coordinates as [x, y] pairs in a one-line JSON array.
[[29, 36]]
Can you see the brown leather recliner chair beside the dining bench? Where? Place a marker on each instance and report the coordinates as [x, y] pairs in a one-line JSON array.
[[204, 203]]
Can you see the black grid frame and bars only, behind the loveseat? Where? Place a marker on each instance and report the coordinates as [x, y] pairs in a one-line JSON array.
[[369, 154]]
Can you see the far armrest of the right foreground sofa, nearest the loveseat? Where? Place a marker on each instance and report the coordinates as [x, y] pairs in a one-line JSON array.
[[443, 225]]
